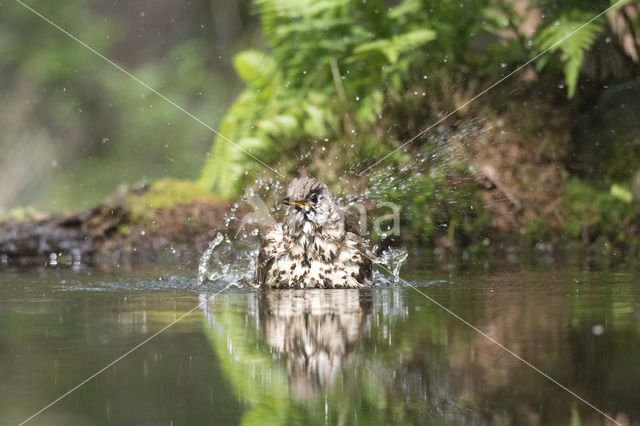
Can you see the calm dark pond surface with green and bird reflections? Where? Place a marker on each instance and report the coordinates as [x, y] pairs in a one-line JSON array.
[[385, 355]]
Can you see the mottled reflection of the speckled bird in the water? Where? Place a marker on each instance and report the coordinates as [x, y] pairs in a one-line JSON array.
[[318, 332]]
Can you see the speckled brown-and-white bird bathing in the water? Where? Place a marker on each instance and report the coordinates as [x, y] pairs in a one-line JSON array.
[[311, 247]]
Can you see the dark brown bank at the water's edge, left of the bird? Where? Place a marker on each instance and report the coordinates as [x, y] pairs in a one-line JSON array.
[[106, 236]]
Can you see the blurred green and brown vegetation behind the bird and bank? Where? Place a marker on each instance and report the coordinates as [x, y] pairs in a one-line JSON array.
[[331, 87]]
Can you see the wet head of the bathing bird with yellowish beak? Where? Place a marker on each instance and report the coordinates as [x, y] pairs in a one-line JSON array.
[[311, 207]]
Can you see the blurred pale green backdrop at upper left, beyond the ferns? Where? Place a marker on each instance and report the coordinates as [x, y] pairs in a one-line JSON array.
[[76, 127]]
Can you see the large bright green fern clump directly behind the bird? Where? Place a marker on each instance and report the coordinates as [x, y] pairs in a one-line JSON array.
[[331, 68]]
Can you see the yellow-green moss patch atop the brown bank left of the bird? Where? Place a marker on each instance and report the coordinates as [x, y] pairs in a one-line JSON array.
[[165, 193]]
